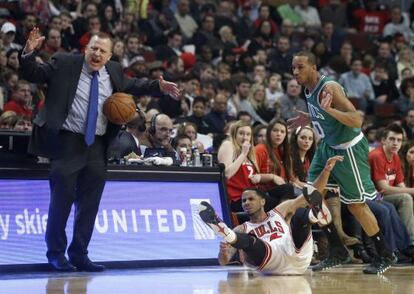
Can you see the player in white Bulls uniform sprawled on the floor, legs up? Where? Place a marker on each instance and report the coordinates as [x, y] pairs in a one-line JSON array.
[[280, 241]]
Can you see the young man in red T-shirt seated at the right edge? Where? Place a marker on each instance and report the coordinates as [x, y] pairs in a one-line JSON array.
[[388, 176]]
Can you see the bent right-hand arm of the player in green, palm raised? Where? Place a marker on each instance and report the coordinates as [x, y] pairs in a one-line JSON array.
[[334, 102]]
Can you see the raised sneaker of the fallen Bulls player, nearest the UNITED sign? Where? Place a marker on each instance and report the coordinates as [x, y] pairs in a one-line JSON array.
[[209, 216]]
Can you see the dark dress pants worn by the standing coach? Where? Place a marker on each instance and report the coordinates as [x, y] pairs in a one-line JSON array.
[[77, 177]]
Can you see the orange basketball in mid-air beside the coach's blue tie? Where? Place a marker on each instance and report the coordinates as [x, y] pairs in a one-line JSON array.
[[119, 108]]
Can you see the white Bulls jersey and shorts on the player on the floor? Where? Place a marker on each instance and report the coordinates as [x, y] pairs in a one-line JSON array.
[[282, 257]]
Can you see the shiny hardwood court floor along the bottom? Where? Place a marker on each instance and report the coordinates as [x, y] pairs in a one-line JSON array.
[[209, 280]]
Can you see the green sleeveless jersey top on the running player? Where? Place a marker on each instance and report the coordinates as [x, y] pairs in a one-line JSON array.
[[329, 129]]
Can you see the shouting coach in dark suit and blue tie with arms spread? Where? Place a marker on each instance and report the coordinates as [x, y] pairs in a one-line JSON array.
[[72, 131]]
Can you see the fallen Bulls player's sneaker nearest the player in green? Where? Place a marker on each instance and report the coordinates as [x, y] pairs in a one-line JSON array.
[[319, 211]]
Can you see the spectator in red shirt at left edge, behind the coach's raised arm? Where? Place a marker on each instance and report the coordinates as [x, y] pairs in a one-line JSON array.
[[21, 100]]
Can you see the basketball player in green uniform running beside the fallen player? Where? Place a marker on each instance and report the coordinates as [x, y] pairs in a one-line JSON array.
[[338, 124]]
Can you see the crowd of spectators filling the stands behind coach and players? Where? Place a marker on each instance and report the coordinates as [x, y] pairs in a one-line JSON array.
[[232, 61]]
